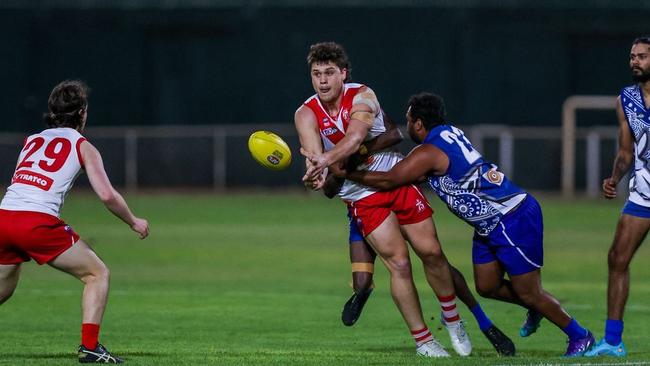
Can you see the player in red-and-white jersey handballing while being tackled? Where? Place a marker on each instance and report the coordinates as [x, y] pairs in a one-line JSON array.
[[339, 118]]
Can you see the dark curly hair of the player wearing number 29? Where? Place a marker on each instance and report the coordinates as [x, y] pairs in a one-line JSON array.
[[64, 104]]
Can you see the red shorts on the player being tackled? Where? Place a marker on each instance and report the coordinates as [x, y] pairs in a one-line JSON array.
[[407, 202]]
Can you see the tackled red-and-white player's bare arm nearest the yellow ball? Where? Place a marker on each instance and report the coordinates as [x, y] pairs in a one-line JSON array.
[[310, 141]]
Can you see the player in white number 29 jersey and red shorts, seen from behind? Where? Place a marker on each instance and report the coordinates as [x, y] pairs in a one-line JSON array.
[[30, 227]]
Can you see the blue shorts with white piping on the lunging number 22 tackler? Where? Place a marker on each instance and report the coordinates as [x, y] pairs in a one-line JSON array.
[[517, 242]]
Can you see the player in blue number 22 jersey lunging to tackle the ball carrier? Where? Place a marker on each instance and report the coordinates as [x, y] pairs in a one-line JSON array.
[[507, 221]]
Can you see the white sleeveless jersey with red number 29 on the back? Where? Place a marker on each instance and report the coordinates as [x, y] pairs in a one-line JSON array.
[[46, 169]]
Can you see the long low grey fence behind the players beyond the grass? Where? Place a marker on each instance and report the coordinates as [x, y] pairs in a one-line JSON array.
[[217, 156]]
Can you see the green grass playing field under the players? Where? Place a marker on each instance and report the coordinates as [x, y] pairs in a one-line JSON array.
[[252, 279]]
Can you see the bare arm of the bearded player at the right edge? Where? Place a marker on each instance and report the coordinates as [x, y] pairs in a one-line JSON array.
[[624, 155]]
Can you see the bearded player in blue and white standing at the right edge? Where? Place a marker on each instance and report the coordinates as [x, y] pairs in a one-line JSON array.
[[633, 148]]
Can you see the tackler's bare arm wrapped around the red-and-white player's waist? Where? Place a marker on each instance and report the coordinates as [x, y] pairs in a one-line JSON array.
[[422, 161]]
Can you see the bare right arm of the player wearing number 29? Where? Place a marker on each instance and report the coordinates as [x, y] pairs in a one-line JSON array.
[[102, 186]]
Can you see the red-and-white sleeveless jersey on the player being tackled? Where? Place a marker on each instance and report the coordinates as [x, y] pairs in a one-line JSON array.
[[332, 130]]
